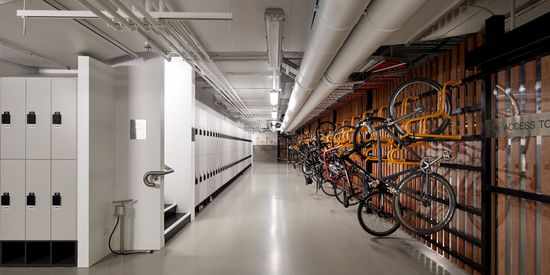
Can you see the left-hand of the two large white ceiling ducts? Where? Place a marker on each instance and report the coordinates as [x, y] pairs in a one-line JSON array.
[[332, 25]]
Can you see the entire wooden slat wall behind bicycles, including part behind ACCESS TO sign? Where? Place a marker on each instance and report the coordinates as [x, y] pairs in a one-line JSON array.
[[519, 245]]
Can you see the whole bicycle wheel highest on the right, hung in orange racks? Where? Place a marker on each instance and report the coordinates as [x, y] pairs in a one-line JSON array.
[[418, 96]]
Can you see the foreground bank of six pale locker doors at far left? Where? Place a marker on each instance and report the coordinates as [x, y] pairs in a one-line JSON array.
[[38, 158]]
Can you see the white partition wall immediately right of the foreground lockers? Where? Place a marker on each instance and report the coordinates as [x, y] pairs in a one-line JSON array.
[[96, 159]]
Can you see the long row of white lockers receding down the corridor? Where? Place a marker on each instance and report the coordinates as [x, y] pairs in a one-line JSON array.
[[211, 153]]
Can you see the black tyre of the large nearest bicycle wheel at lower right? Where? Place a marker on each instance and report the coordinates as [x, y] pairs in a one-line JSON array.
[[431, 223]]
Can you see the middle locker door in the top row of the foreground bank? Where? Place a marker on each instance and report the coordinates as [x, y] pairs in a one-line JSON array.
[[38, 130]]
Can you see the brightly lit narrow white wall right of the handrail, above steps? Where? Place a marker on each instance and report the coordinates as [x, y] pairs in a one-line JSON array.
[[179, 150]]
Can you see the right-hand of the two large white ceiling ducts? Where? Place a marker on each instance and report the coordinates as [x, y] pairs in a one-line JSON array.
[[382, 19]]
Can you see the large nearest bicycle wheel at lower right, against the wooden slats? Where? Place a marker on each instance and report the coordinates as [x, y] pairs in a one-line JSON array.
[[424, 203]]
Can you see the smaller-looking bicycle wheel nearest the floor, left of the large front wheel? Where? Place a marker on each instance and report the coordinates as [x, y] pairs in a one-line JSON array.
[[375, 214]]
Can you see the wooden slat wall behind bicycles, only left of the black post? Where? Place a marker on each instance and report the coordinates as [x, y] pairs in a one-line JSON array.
[[467, 184]]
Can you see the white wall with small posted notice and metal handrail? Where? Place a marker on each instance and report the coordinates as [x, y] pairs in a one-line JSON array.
[[139, 95]]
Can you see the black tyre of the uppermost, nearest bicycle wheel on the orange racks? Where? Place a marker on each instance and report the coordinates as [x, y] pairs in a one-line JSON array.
[[393, 102]]
